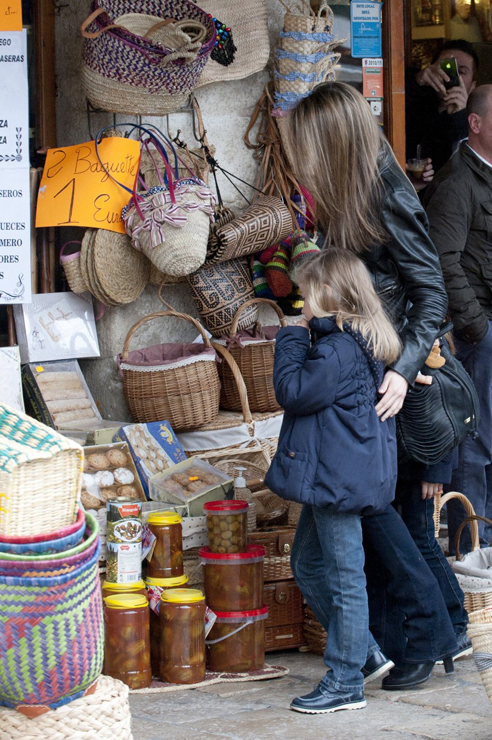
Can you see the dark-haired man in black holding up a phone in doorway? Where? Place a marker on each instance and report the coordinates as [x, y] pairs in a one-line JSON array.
[[435, 113]]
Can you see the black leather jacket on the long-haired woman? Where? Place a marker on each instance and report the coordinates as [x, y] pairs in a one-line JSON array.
[[405, 269]]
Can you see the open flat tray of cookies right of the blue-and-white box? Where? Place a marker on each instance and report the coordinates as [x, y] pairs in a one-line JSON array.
[[191, 483]]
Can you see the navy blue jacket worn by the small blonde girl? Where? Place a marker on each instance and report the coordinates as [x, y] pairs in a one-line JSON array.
[[333, 450]]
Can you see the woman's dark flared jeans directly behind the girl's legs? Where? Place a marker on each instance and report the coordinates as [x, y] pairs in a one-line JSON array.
[[407, 613]]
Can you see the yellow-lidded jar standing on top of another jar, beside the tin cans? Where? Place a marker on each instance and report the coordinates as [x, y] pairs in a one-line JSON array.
[[167, 557]]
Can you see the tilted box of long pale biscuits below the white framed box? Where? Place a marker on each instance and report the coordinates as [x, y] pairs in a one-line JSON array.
[[56, 394]]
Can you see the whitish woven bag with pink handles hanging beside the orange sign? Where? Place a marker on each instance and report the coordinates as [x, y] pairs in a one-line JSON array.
[[170, 223]]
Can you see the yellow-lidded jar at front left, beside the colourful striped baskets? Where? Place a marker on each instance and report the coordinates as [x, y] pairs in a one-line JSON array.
[[127, 646]]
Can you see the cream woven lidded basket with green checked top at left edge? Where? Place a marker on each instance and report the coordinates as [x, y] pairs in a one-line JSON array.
[[40, 476]]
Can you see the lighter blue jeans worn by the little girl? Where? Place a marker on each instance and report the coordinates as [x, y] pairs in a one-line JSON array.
[[328, 565]]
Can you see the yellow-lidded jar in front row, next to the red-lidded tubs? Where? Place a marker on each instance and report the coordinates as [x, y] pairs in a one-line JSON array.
[[182, 628]]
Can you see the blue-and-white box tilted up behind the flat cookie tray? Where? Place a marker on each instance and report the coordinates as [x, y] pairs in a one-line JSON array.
[[154, 448]]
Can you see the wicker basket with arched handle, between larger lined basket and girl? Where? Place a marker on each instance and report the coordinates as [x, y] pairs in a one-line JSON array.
[[253, 351]]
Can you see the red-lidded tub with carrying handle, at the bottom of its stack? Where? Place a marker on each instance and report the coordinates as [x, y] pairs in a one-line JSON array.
[[236, 642]]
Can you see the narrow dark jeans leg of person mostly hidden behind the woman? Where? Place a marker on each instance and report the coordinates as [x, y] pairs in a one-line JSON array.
[[418, 515]]
